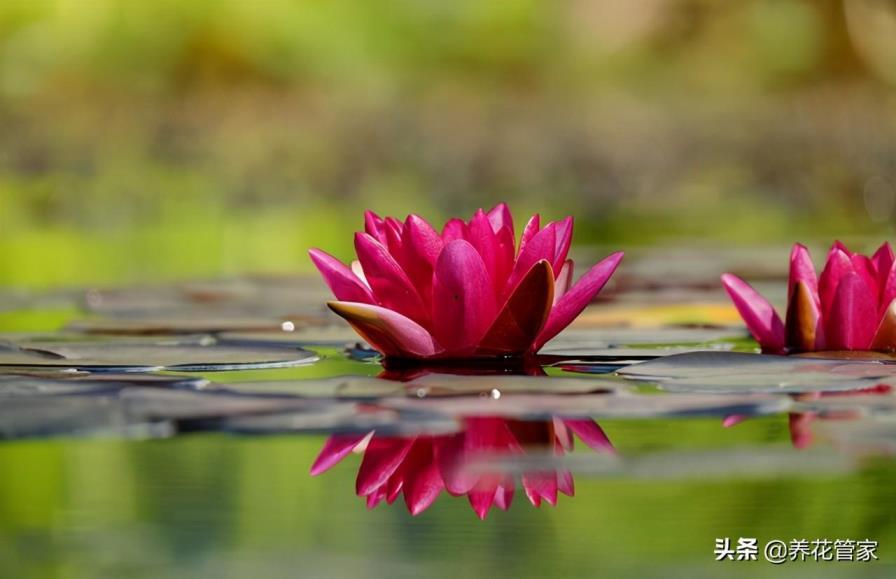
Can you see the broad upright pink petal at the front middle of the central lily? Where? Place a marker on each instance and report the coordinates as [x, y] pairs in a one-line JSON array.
[[463, 300]]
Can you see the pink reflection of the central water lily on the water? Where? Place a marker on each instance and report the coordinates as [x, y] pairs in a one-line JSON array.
[[421, 467]]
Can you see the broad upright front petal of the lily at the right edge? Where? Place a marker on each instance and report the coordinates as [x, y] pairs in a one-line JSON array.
[[851, 323]]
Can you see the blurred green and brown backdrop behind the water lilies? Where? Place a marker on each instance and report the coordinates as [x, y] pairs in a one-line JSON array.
[[173, 139]]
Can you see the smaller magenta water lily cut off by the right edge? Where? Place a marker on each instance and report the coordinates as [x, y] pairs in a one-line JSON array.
[[850, 306]]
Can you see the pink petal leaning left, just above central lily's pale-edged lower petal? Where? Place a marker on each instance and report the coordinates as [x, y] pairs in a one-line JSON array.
[[390, 284]]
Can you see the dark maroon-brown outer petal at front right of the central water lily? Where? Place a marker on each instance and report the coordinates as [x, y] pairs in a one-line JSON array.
[[523, 316]]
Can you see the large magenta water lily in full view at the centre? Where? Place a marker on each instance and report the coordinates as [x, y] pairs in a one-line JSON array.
[[466, 292]]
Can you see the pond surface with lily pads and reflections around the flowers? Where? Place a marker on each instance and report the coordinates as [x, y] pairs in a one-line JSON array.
[[235, 428]]
